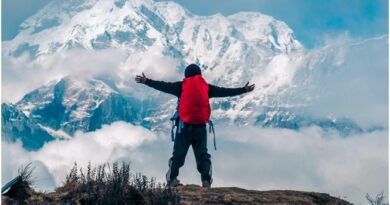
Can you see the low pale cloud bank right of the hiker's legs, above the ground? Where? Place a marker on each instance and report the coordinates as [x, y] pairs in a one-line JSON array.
[[309, 159]]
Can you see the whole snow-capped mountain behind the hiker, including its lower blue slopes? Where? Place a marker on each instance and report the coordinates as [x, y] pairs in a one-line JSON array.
[[160, 39]]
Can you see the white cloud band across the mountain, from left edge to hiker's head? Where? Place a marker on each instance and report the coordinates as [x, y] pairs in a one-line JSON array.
[[21, 75]]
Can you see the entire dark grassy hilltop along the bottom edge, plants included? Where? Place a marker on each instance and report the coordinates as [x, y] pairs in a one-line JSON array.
[[116, 184]]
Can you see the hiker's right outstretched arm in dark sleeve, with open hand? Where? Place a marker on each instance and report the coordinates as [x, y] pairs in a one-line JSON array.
[[215, 91]]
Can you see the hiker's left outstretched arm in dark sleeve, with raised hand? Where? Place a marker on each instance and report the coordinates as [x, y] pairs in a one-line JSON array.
[[167, 87]]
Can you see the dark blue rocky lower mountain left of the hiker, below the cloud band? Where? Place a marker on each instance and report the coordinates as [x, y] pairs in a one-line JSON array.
[[59, 109]]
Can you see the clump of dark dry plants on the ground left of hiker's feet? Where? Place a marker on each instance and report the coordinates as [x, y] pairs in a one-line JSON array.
[[114, 184]]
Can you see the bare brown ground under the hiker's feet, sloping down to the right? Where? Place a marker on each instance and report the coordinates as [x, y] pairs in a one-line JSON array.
[[193, 194]]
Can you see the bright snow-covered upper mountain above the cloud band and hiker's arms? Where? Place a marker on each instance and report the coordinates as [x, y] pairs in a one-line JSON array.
[[231, 50]]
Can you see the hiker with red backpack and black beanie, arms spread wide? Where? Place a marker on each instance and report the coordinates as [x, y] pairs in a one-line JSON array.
[[193, 114]]
